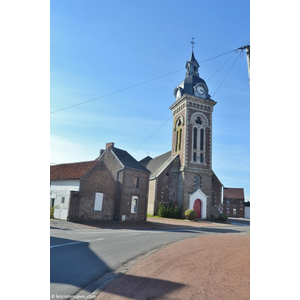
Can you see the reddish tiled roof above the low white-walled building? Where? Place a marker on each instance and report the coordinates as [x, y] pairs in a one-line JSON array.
[[71, 170]]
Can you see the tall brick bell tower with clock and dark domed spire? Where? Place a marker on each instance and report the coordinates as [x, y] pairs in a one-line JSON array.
[[192, 140]]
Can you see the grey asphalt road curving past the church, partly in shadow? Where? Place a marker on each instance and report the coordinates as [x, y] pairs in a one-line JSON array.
[[79, 257]]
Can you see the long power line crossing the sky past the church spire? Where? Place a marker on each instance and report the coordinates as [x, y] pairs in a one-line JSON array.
[[133, 86]]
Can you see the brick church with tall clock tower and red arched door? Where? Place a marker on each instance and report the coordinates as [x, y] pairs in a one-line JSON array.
[[184, 175]]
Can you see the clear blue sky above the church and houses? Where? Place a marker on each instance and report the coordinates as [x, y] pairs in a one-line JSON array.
[[129, 56]]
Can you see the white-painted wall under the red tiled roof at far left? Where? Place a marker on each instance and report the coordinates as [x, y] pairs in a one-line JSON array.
[[59, 189]]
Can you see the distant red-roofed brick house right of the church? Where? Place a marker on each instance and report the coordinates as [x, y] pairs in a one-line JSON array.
[[233, 202]]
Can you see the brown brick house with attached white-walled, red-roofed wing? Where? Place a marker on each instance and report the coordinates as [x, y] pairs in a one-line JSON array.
[[112, 187]]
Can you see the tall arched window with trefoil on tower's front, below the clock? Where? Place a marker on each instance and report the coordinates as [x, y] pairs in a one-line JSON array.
[[199, 123]]
